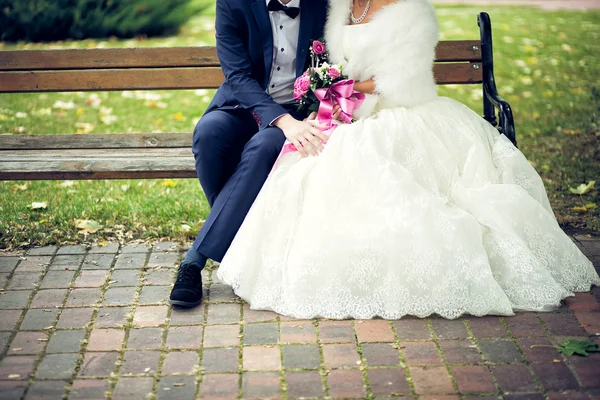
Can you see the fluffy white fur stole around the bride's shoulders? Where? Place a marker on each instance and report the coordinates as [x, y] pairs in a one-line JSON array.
[[396, 49]]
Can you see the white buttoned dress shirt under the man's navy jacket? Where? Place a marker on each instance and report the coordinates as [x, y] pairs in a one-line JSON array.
[[285, 43]]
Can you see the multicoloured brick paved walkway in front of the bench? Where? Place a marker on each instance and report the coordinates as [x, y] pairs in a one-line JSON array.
[[90, 324]]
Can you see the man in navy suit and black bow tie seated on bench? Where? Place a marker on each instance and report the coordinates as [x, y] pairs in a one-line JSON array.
[[262, 46]]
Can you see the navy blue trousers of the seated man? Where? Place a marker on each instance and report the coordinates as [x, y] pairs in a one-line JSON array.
[[233, 160]]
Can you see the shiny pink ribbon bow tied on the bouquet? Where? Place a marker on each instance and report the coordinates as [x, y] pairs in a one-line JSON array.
[[341, 93]]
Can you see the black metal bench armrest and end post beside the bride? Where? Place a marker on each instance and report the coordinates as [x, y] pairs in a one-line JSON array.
[[492, 99]]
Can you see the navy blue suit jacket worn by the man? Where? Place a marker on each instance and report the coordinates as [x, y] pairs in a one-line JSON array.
[[245, 51]]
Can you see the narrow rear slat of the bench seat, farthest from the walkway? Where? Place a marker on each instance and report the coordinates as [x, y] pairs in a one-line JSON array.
[[96, 141]]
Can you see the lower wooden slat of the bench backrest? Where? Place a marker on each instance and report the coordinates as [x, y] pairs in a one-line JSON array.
[[162, 78]]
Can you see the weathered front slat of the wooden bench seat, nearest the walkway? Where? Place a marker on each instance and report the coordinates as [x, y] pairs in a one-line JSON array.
[[97, 164]]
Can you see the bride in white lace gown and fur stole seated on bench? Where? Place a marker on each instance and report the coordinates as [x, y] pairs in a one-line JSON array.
[[420, 207]]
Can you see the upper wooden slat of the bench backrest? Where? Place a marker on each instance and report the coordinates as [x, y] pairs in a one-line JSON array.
[[171, 57]]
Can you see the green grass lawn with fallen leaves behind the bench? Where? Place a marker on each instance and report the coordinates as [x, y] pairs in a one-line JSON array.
[[546, 66]]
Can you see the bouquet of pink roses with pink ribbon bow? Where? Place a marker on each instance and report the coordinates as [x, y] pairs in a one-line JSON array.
[[323, 86]]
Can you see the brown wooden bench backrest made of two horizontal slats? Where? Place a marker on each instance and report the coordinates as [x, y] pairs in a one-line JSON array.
[[457, 62]]
